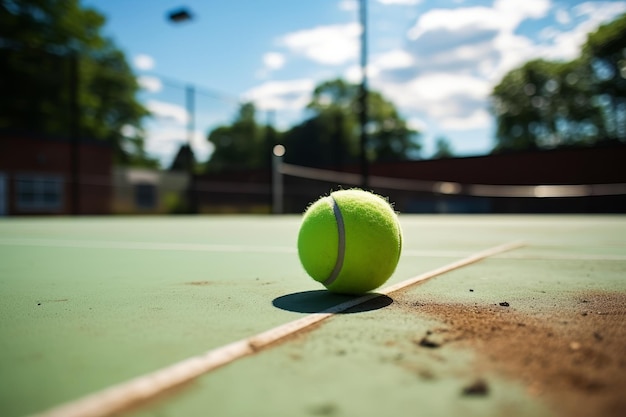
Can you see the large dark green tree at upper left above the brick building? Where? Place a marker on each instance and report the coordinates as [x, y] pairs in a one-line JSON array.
[[62, 76]]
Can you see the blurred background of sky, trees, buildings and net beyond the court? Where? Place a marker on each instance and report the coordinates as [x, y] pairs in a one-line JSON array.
[[245, 106]]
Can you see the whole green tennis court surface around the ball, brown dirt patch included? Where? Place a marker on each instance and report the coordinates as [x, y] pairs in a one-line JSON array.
[[538, 330]]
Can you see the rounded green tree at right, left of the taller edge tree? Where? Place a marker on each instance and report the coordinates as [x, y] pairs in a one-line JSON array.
[[543, 104]]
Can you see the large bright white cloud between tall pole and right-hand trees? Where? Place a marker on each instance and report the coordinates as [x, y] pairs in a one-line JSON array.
[[452, 59]]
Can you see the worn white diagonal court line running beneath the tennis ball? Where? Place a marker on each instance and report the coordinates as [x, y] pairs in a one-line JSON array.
[[123, 396]]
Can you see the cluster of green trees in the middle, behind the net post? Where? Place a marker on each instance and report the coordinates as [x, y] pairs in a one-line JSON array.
[[329, 138]]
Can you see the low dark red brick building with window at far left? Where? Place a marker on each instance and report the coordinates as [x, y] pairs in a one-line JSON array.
[[42, 175]]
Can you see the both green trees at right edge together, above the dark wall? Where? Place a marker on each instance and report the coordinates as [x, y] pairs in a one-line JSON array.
[[546, 104]]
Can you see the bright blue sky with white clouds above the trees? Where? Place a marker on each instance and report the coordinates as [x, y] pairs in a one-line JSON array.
[[437, 60]]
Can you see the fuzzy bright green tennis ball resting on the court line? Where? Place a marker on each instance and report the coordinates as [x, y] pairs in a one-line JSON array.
[[350, 241]]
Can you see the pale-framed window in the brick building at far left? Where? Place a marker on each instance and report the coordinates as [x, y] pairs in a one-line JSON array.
[[39, 192]]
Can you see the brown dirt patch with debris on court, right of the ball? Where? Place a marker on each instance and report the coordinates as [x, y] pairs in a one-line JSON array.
[[575, 358]]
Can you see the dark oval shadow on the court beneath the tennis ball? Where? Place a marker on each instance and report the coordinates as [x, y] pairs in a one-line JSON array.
[[321, 300]]
